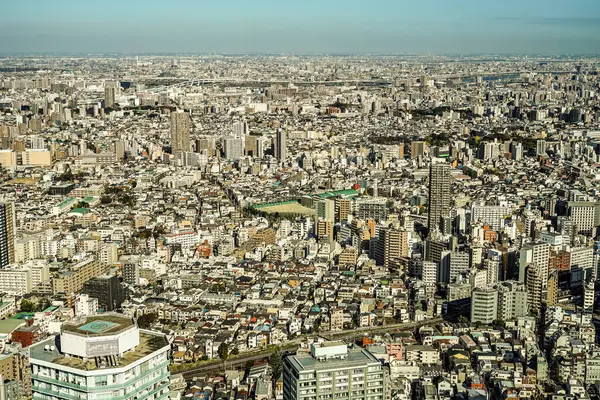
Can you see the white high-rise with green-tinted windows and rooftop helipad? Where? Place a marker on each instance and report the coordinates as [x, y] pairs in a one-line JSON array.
[[103, 356]]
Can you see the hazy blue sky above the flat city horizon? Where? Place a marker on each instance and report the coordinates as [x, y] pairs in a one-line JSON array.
[[301, 26]]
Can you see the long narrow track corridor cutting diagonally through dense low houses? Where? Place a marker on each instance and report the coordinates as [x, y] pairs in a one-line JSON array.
[[293, 344]]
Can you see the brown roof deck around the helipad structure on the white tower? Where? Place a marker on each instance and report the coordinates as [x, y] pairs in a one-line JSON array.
[[149, 343]]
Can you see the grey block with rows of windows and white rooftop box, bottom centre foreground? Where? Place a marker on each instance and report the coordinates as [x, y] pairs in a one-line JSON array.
[[354, 373]]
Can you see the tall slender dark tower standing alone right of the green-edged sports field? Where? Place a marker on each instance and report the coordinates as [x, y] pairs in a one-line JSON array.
[[439, 194]]
